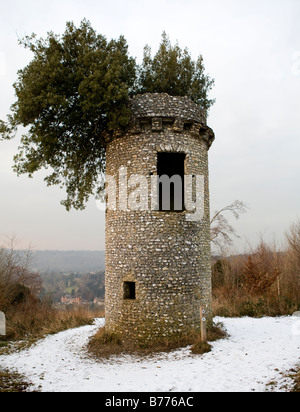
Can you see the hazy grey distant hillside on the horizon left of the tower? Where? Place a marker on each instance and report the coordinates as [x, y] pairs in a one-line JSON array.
[[81, 262]]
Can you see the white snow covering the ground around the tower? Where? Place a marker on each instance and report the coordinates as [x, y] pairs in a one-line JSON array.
[[255, 354]]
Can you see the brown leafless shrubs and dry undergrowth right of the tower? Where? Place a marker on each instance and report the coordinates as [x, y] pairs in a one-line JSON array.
[[263, 282]]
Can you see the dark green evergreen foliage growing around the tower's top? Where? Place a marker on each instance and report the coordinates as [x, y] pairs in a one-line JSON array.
[[76, 90]]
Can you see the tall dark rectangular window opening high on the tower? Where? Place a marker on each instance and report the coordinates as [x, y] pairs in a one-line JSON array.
[[170, 170]]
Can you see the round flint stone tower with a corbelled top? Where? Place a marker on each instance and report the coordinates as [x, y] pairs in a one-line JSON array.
[[158, 268]]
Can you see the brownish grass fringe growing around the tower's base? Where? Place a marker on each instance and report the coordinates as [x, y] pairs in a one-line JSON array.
[[105, 344]]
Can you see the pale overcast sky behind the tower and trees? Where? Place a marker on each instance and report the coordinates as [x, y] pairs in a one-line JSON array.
[[250, 47]]
